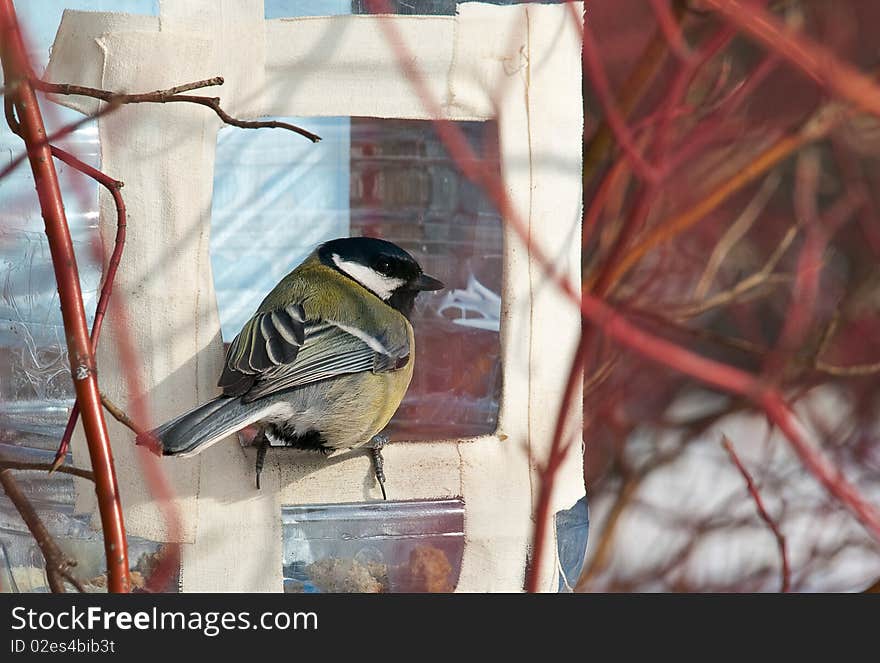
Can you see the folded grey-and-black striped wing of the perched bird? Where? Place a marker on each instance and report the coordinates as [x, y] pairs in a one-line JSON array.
[[275, 352]]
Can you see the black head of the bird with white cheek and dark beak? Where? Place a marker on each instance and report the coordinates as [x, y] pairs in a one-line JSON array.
[[381, 267]]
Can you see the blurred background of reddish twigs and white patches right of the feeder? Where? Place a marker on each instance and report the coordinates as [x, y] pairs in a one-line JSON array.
[[717, 256]]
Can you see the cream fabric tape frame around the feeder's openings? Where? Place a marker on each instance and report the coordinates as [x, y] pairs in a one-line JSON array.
[[519, 64]]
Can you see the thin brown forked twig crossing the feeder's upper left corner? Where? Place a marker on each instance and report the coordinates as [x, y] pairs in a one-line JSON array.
[[172, 95]]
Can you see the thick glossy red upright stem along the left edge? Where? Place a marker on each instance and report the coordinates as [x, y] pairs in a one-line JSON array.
[[82, 361]]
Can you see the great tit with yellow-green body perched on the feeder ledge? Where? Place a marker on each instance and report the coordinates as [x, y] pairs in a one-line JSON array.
[[324, 362]]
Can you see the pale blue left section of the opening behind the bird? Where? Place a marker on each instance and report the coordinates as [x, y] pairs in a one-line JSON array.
[[276, 196]]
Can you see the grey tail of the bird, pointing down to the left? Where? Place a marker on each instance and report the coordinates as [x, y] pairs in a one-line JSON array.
[[194, 431]]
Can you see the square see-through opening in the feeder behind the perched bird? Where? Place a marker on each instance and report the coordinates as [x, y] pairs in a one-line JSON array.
[[274, 201]]
